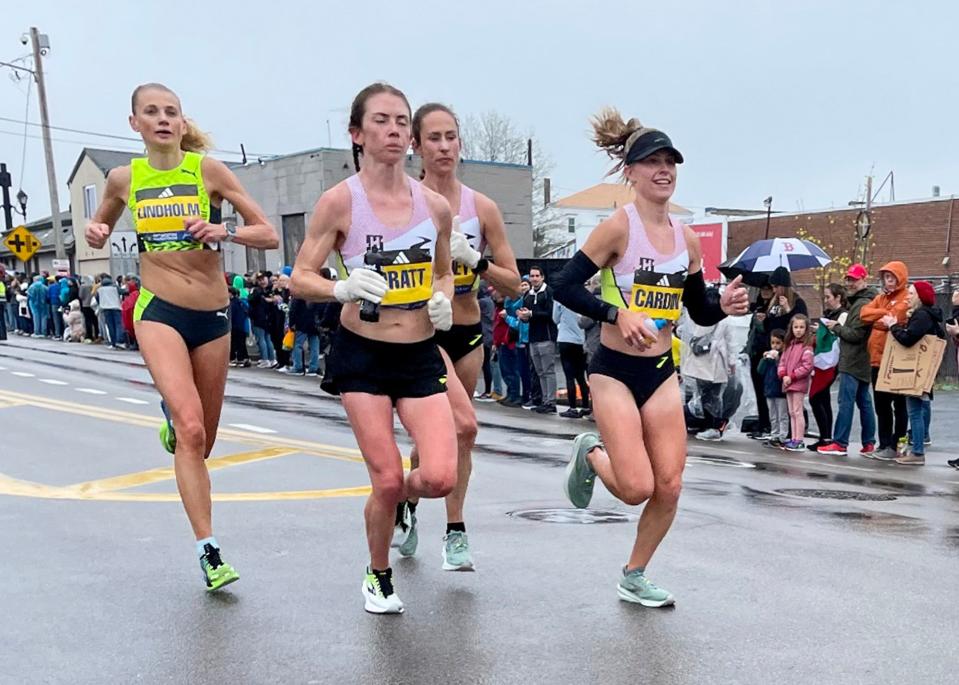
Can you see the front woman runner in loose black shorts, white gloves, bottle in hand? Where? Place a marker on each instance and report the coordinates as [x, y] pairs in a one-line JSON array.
[[393, 361]]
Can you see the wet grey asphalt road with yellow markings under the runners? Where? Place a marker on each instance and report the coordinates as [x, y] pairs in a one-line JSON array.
[[100, 582]]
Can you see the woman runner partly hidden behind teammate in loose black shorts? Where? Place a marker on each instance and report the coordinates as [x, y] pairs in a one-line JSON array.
[[477, 225]]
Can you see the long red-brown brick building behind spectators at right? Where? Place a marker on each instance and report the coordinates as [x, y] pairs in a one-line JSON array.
[[919, 233]]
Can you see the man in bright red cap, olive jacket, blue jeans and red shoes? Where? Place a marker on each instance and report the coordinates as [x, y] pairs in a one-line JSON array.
[[854, 368]]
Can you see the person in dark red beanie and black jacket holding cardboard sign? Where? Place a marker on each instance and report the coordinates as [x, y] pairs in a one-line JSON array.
[[925, 318]]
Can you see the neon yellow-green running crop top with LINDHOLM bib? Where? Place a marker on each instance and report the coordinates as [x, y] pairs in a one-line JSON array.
[[160, 202]]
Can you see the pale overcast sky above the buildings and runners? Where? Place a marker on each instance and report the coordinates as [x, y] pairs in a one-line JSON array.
[[798, 100]]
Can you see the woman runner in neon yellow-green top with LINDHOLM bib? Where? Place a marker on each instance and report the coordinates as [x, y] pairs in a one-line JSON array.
[[182, 324]]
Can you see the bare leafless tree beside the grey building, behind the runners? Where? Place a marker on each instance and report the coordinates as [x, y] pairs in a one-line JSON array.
[[494, 137]]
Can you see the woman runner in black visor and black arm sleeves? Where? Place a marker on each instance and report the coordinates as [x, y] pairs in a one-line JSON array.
[[651, 268]]
